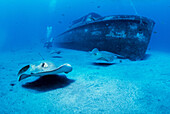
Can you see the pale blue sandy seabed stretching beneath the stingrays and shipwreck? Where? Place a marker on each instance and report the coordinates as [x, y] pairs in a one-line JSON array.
[[123, 87]]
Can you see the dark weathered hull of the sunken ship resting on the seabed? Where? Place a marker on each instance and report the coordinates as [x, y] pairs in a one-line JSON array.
[[126, 35]]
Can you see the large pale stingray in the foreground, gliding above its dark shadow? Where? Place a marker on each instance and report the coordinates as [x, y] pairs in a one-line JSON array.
[[41, 69]]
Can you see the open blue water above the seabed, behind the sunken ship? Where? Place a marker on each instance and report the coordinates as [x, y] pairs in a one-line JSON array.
[[24, 22]]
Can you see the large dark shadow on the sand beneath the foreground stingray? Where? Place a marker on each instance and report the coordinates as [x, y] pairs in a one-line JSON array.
[[48, 82]]
